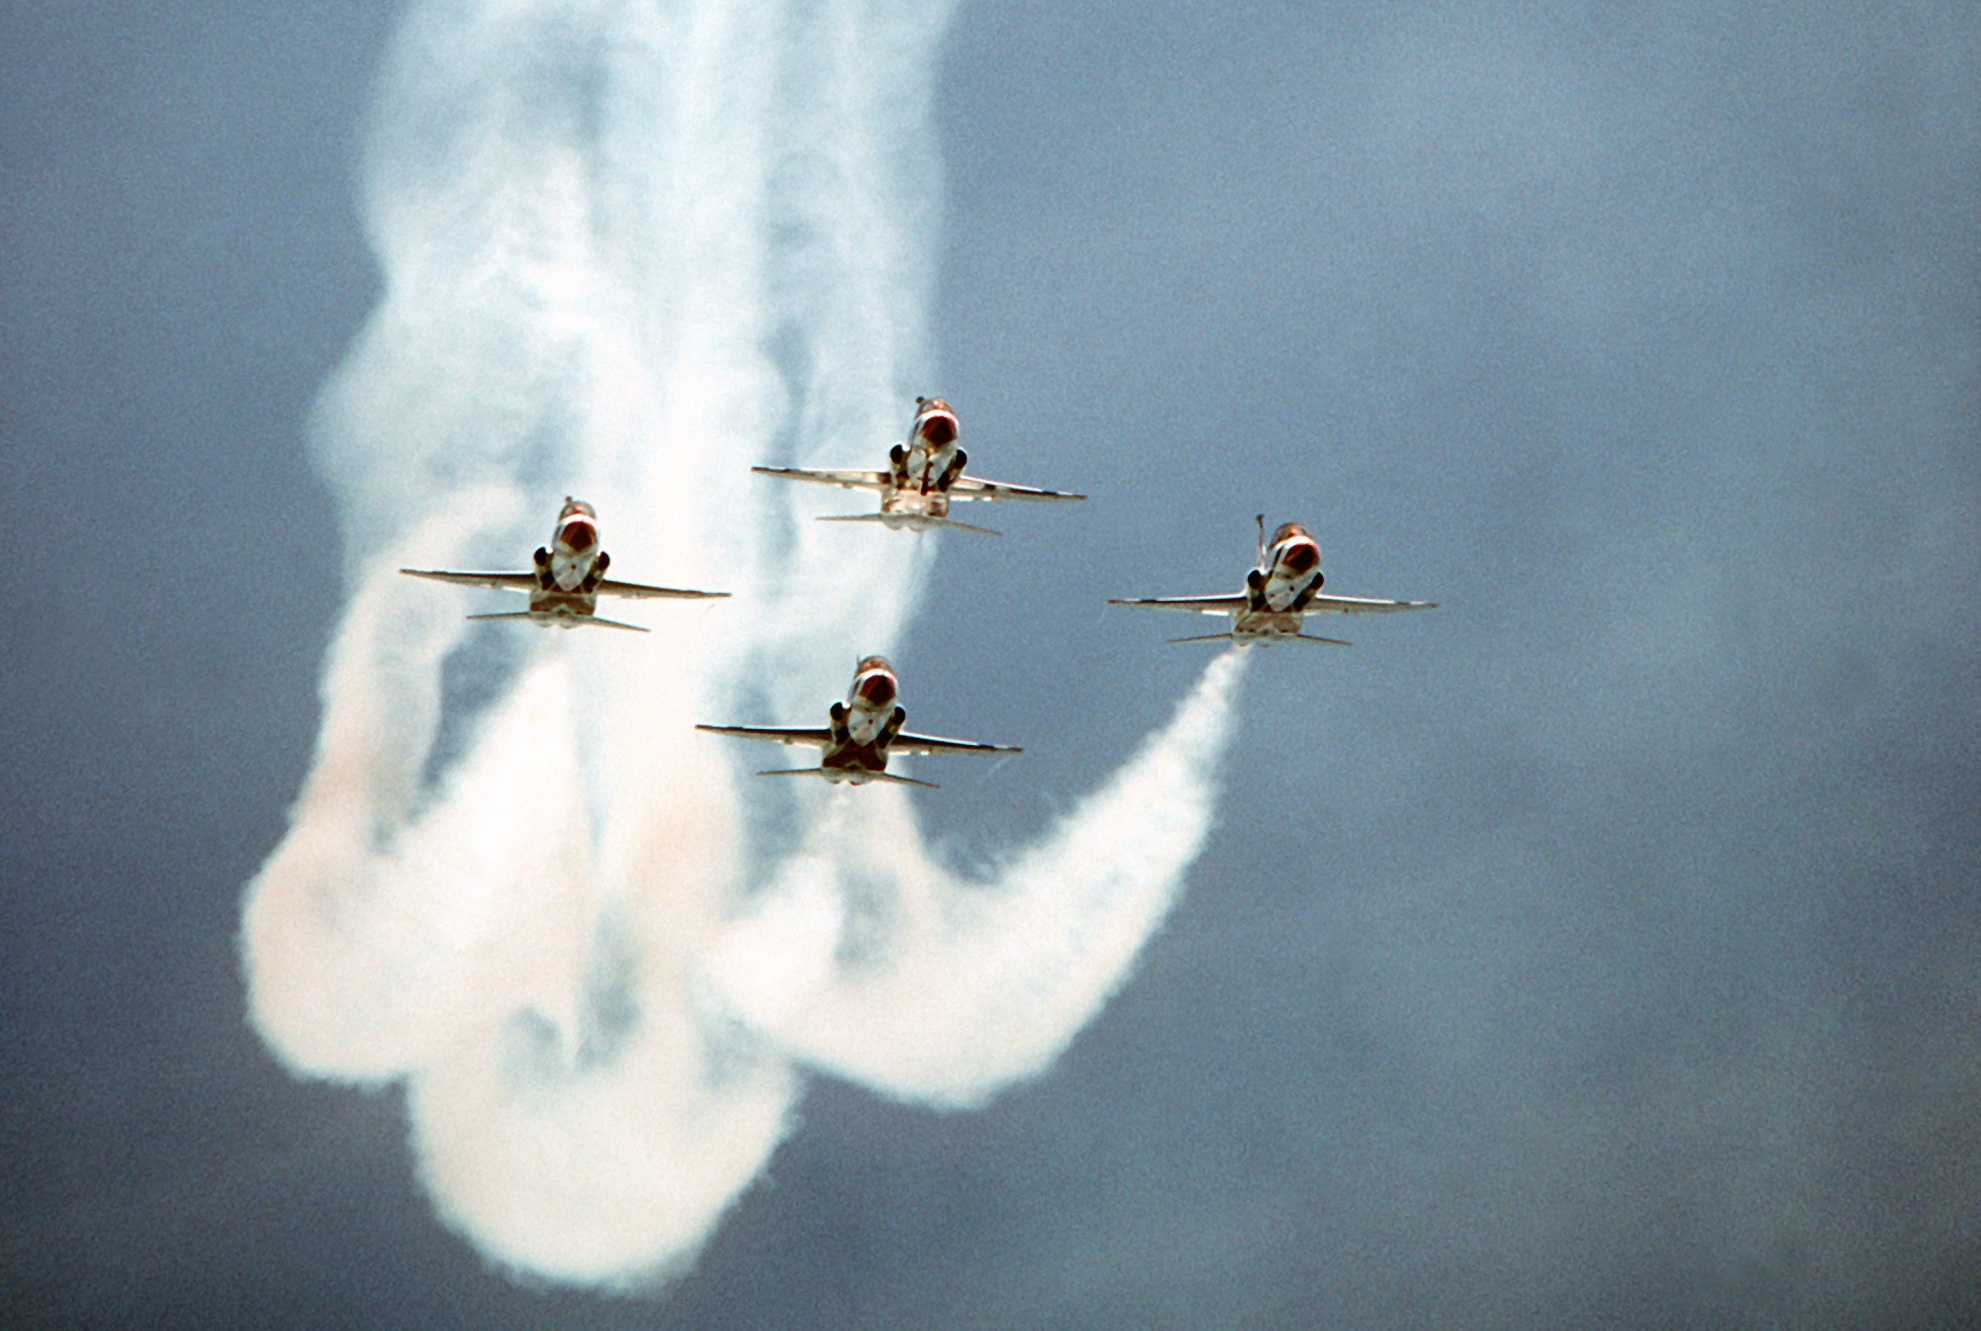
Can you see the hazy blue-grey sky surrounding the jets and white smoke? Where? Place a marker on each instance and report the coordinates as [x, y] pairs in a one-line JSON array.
[[1598, 950]]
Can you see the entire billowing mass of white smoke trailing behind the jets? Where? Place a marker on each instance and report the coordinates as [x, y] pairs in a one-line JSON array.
[[629, 251]]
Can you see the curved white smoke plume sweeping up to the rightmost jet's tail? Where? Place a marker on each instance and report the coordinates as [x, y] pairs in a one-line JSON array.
[[873, 964]]
